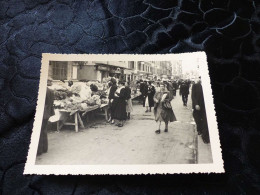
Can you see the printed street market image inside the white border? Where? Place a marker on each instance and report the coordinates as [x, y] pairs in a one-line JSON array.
[[124, 112]]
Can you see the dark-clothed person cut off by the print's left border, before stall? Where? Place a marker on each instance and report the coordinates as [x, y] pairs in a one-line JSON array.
[[48, 112]]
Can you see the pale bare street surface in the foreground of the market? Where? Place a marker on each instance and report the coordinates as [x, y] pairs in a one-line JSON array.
[[134, 143]]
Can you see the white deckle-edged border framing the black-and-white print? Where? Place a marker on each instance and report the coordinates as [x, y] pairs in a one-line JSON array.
[[216, 167]]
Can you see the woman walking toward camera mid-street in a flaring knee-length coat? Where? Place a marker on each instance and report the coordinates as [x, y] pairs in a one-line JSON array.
[[162, 108]]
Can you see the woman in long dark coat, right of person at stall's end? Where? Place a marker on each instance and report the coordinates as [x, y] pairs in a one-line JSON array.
[[120, 104]]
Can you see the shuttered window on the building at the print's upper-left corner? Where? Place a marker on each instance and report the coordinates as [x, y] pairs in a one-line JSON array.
[[60, 70]]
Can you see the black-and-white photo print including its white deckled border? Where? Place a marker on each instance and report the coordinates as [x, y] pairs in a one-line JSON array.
[[124, 114]]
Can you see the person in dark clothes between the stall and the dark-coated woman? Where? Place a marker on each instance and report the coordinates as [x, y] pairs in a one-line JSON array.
[[111, 97]]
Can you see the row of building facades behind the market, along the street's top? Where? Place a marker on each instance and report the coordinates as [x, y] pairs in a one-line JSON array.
[[125, 70]]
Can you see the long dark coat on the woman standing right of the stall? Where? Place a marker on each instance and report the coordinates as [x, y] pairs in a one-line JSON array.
[[120, 105]]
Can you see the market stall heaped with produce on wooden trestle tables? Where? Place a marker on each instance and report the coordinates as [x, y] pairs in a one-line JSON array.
[[71, 103]]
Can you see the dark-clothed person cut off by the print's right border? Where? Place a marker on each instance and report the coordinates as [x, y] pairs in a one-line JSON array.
[[199, 112]]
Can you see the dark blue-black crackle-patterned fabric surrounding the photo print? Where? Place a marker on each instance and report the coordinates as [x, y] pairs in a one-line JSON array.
[[227, 30]]
